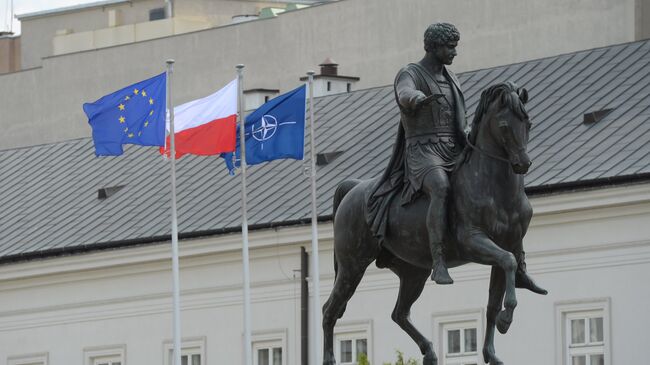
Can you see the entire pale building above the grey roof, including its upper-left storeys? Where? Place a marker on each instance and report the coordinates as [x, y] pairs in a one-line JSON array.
[[113, 43]]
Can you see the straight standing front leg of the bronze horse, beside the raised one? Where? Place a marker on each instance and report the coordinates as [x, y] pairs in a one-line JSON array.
[[497, 289]]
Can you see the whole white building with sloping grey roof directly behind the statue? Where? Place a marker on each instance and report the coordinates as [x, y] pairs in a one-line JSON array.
[[85, 278]]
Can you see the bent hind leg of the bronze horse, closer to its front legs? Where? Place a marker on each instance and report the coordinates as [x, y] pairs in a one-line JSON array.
[[411, 283]]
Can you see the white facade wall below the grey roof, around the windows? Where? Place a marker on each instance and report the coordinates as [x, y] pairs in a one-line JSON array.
[[581, 245]]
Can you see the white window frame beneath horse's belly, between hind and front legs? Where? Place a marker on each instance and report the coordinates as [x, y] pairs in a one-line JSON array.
[[455, 320]]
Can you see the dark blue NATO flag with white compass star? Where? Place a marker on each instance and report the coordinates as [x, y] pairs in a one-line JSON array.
[[274, 131]]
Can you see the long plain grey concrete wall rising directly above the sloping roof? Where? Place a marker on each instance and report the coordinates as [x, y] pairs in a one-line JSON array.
[[371, 39]]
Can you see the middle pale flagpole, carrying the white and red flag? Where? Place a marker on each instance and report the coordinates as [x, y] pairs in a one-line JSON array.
[[248, 348]]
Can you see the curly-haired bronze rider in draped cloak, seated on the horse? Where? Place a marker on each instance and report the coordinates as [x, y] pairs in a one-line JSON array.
[[431, 135]]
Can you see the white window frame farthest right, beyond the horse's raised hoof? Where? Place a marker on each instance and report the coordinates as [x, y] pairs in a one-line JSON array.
[[565, 311]]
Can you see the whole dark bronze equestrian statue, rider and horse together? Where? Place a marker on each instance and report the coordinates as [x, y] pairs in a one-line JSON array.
[[435, 167]]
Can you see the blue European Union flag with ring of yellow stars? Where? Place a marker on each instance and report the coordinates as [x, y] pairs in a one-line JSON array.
[[132, 115]]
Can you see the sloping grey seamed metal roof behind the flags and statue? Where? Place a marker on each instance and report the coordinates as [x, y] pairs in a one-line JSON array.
[[49, 192]]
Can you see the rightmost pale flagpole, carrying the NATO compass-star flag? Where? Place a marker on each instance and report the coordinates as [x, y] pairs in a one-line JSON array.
[[315, 270]]
